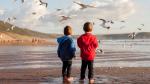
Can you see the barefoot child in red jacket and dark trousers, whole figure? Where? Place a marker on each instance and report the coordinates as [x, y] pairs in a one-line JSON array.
[[87, 44]]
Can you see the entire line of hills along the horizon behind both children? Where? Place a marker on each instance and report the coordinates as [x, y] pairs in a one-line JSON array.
[[26, 33]]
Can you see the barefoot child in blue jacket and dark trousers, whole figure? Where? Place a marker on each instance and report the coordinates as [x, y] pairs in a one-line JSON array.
[[66, 52]]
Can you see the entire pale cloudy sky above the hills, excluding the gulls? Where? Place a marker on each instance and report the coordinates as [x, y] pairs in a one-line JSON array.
[[48, 20]]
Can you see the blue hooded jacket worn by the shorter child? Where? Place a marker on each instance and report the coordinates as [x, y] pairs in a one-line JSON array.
[[66, 49]]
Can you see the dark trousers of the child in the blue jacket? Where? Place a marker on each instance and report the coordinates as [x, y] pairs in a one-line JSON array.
[[66, 68]]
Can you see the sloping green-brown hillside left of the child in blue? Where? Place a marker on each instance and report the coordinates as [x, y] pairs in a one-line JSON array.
[[19, 32]]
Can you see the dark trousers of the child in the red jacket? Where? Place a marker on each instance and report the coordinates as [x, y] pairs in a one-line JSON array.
[[90, 69]]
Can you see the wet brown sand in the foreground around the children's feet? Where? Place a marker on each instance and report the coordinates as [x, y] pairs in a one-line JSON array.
[[103, 75]]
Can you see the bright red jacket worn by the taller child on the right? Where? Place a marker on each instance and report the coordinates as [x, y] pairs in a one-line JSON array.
[[87, 44]]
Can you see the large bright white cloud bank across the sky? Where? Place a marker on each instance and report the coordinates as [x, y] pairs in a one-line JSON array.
[[45, 19]]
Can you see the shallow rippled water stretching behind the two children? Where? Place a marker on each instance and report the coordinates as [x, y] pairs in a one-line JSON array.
[[117, 53]]
